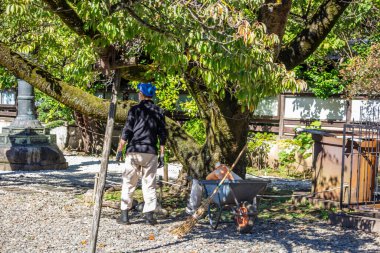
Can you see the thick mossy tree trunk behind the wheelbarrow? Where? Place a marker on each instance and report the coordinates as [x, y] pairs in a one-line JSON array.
[[226, 130]]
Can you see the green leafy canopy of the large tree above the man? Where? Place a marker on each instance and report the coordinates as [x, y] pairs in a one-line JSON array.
[[217, 42]]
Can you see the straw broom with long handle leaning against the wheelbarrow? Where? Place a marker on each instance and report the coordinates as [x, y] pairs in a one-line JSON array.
[[190, 222]]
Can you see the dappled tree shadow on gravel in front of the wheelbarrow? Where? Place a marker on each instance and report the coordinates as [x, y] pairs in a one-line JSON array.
[[289, 235]]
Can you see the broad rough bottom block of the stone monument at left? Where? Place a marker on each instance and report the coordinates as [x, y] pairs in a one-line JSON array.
[[23, 157]]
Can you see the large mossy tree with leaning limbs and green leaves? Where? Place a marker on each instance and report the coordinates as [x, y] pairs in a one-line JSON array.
[[227, 54]]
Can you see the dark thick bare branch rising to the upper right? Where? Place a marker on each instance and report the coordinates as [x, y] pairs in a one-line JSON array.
[[308, 40]]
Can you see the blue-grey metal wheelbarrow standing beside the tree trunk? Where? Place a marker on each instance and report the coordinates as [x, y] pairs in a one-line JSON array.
[[239, 197]]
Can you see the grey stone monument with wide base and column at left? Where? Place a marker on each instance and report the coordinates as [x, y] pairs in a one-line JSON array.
[[25, 144]]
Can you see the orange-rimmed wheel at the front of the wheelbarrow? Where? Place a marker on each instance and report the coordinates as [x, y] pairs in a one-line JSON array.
[[245, 216]]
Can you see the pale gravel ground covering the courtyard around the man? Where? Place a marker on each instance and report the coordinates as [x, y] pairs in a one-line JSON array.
[[41, 212]]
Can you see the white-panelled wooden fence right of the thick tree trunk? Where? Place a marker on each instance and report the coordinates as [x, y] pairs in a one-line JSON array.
[[282, 114]]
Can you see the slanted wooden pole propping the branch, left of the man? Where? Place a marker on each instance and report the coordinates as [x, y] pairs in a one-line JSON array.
[[104, 163]]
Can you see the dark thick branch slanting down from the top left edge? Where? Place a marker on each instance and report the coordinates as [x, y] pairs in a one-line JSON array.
[[70, 18]]
